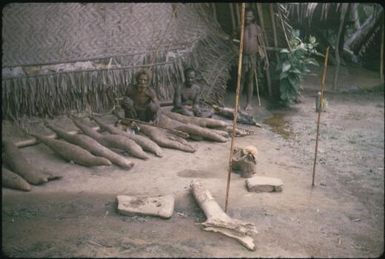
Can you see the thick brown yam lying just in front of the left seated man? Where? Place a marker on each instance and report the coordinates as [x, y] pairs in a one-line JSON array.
[[165, 139]]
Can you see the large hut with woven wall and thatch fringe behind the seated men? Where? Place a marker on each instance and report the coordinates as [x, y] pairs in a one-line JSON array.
[[61, 57]]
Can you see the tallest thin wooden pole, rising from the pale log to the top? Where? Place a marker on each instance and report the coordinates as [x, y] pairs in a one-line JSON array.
[[236, 102]]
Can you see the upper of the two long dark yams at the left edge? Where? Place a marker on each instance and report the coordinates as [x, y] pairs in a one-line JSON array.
[[17, 162]]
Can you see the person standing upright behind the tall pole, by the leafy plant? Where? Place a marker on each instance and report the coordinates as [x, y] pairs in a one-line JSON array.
[[252, 43]]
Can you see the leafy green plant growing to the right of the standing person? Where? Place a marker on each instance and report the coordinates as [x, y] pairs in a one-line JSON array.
[[293, 65]]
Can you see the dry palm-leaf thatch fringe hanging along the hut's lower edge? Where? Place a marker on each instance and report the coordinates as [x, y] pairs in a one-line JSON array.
[[96, 90]]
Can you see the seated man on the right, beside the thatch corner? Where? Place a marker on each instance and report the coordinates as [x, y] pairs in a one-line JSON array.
[[188, 94]]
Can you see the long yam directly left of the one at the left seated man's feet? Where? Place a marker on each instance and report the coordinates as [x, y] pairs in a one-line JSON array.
[[144, 142]]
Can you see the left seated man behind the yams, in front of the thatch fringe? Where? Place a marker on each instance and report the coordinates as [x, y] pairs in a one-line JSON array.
[[140, 102]]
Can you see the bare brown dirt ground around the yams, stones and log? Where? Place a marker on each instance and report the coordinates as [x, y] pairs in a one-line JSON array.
[[342, 216]]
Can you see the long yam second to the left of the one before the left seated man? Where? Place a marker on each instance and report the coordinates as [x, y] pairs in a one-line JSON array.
[[112, 141]]
